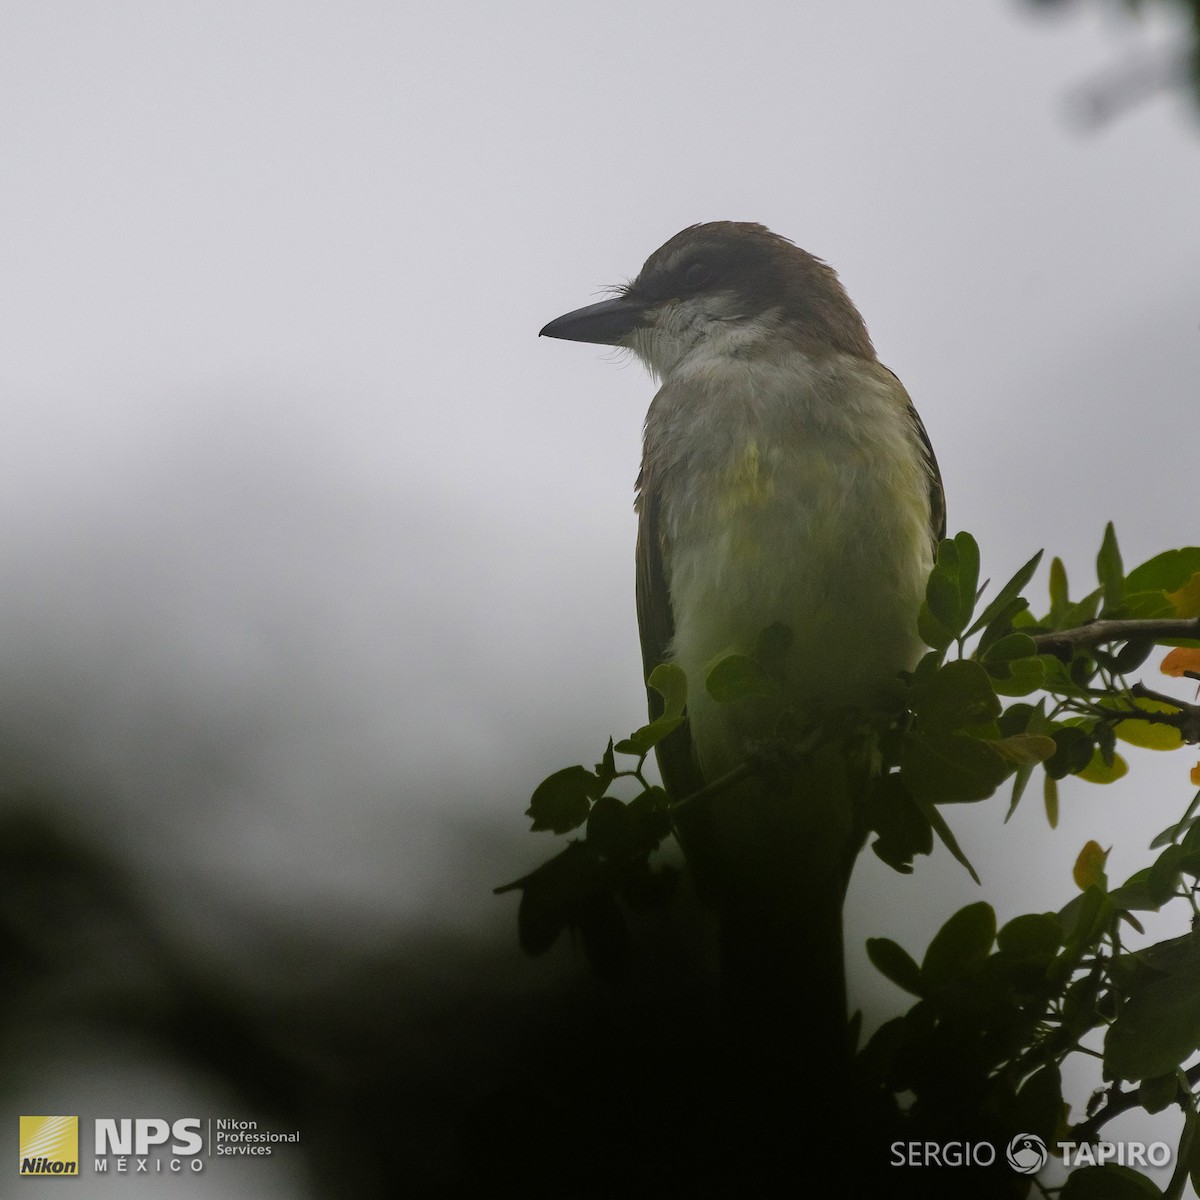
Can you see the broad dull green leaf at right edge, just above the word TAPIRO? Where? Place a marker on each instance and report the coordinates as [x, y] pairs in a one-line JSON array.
[[1159, 1028]]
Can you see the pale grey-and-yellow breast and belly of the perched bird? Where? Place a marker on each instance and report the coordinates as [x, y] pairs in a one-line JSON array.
[[797, 500]]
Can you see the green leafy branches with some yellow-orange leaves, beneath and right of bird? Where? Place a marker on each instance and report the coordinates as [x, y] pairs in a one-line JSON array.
[[1001, 695]]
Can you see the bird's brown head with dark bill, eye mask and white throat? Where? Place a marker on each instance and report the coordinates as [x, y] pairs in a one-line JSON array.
[[728, 287]]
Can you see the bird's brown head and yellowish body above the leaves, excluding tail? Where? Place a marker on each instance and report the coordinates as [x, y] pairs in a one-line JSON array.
[[787, 478]]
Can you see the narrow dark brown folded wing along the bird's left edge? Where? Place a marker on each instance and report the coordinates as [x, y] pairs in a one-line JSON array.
[[656, 625]]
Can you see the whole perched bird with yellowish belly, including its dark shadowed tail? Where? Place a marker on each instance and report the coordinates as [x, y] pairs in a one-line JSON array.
[[787, 479]]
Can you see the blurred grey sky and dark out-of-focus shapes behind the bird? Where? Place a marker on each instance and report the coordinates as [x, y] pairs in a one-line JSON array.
[[316, 561]]
